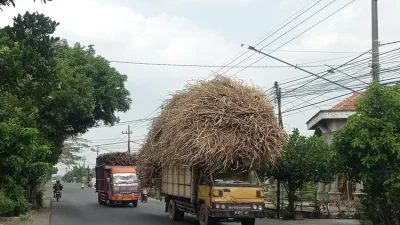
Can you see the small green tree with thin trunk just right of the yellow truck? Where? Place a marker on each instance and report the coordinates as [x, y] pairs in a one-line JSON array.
[[305, 159]]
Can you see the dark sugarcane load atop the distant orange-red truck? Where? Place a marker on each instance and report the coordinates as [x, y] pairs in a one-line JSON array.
[[116, 159]]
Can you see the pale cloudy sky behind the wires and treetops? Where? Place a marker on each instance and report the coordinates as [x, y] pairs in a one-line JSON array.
[[210, 32]]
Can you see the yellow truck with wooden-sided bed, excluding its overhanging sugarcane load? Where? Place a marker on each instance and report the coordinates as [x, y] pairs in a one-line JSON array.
[[230, 196]]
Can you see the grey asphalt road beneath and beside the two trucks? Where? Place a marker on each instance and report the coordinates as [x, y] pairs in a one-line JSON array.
[[80, 207]]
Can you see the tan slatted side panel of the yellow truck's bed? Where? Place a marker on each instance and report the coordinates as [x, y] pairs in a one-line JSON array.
[[177, 181]]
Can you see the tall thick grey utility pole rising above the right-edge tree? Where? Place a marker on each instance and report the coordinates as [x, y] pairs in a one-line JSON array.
[[375, 41]]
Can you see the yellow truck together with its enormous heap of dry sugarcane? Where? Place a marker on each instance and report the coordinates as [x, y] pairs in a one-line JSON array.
[[211, 137]]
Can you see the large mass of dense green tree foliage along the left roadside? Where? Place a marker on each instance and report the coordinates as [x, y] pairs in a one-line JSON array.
[[50, 92]]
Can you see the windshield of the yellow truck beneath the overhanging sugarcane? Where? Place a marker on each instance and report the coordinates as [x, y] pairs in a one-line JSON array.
[[236, 178]]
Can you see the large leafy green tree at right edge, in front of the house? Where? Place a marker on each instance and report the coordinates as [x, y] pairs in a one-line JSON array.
[[369, 147]]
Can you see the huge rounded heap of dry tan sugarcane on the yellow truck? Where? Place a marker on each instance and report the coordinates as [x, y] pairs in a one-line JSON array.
[[217, 124]]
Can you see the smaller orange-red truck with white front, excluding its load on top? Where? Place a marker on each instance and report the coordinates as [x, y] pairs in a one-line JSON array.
[[117, 184]]
